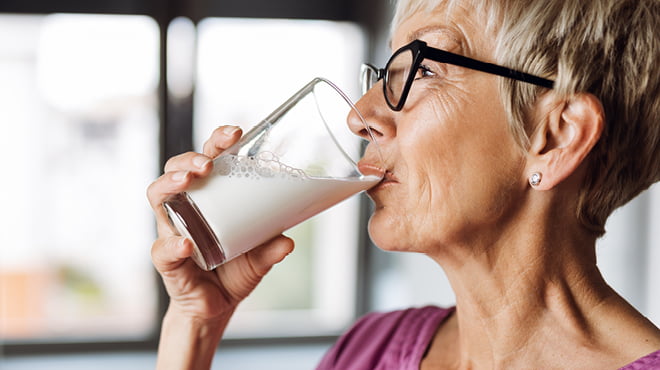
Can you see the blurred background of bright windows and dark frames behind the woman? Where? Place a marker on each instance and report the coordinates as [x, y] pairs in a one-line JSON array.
[[95, 96]]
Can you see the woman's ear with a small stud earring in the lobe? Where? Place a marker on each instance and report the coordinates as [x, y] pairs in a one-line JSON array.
[[567, 132]]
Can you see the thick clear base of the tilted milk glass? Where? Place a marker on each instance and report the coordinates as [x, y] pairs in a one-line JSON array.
[[189, 222]]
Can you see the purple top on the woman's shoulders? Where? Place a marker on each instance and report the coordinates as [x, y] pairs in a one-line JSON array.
[[399, 339]]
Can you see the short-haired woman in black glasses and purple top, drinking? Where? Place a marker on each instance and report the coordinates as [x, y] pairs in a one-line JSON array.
[[505, 182]]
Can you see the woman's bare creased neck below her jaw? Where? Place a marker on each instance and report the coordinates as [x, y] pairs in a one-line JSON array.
[[508, 311]]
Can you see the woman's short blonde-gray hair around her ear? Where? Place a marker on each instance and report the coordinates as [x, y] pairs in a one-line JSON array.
[[608, 48]]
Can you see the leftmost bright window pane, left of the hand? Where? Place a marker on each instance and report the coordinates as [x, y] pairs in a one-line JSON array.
[[79, 130]]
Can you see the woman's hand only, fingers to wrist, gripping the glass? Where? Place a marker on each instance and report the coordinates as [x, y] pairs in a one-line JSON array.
[[194, 293]]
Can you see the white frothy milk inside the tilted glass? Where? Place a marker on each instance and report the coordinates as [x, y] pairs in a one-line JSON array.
[[247, 202]]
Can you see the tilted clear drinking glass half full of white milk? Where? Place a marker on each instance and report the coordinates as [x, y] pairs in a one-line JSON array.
[[297, 162]]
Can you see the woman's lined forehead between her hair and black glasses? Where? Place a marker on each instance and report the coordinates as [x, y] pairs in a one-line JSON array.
[[455, 22]]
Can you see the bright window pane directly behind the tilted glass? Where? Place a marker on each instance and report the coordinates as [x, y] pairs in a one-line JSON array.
[[242, 79]]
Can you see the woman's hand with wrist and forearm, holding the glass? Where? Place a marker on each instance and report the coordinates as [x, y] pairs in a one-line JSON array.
[[201, 302]]
